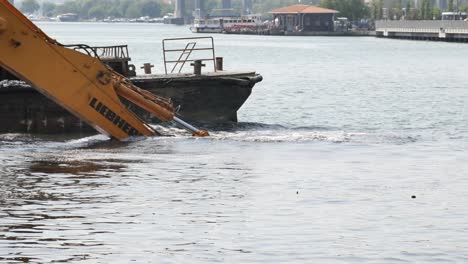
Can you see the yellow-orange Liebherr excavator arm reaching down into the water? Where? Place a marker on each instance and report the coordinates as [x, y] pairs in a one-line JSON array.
[[80, 83]]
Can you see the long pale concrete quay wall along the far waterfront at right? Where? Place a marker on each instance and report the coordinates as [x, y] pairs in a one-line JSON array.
[[437, 30]]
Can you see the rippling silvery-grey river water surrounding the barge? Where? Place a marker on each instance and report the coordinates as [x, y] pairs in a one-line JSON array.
[[352, 150]]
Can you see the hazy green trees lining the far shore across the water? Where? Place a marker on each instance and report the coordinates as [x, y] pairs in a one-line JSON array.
[[354, 10]]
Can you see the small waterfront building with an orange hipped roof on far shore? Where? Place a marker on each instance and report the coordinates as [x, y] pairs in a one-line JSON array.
[[303, 18]]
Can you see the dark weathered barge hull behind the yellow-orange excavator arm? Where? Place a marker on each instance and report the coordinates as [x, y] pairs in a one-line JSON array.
[[208, 98]]
